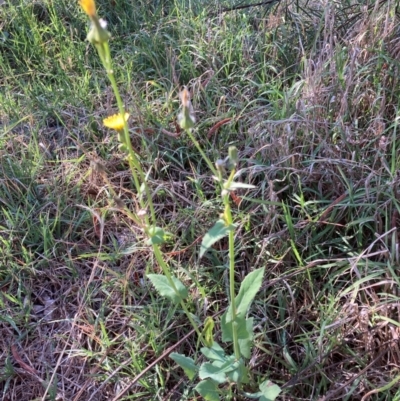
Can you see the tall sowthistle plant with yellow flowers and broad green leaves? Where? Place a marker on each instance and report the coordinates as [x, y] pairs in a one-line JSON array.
[[236, 327]]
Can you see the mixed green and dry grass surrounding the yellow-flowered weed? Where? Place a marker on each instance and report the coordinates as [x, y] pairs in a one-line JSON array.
[[313, 96]]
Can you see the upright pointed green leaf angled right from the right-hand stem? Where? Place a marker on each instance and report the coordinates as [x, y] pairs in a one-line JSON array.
[[247, 292]]
